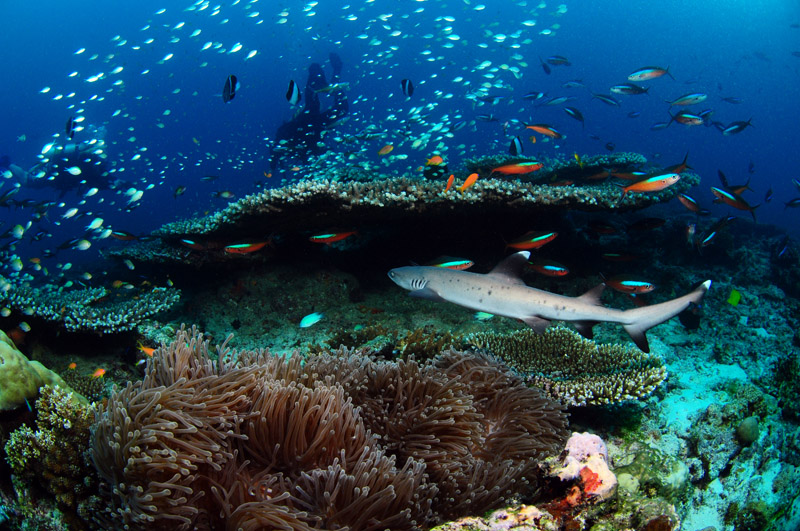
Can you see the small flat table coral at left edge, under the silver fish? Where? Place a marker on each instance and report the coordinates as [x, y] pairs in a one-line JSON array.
[[87, 309]]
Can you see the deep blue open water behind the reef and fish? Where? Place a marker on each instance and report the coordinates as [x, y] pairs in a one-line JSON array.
[[148, 76]]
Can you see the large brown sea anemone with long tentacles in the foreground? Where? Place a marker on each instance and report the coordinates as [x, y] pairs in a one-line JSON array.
[[337, 440]]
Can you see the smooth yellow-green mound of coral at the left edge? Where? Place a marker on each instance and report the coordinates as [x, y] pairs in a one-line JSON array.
[[22, 379]]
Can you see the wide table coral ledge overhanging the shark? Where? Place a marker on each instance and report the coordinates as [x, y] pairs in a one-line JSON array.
[[318, 204]]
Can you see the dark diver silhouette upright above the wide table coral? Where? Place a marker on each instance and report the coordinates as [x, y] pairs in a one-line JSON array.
[[301, 136]]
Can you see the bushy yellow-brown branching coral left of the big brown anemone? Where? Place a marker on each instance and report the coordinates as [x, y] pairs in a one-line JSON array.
[[53, 457]]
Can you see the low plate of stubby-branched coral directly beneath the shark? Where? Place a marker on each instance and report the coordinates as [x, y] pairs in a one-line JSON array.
[[575, 370]]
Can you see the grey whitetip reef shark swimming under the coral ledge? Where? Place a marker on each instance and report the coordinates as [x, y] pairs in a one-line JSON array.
[[502, 292]]
